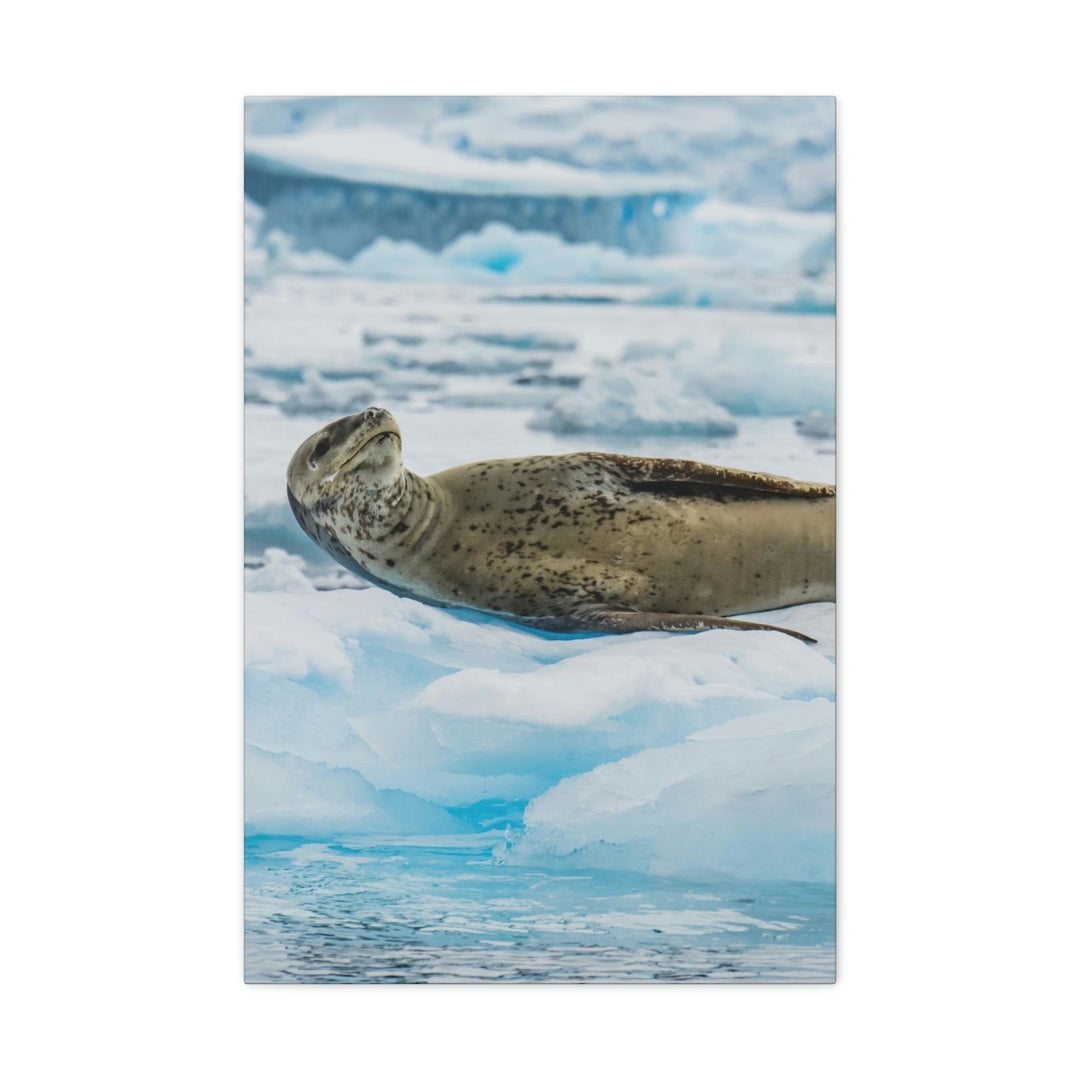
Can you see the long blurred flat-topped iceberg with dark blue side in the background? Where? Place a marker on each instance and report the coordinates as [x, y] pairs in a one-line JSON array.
[[339, 191]]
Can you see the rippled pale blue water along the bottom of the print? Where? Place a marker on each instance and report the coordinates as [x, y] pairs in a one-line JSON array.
[[445, 911]]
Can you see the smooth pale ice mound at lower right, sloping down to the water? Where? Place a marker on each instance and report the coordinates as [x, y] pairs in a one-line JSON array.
[[753, 798]]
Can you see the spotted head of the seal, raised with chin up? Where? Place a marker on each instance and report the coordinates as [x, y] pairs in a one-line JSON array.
[[353, 463]]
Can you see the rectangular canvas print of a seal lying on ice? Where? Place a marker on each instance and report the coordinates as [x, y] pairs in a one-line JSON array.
[[541, 449]]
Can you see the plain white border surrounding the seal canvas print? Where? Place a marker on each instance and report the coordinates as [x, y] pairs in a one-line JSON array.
[[958, 745]]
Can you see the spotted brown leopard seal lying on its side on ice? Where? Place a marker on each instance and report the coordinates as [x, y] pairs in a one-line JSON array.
[[569, 544]]
